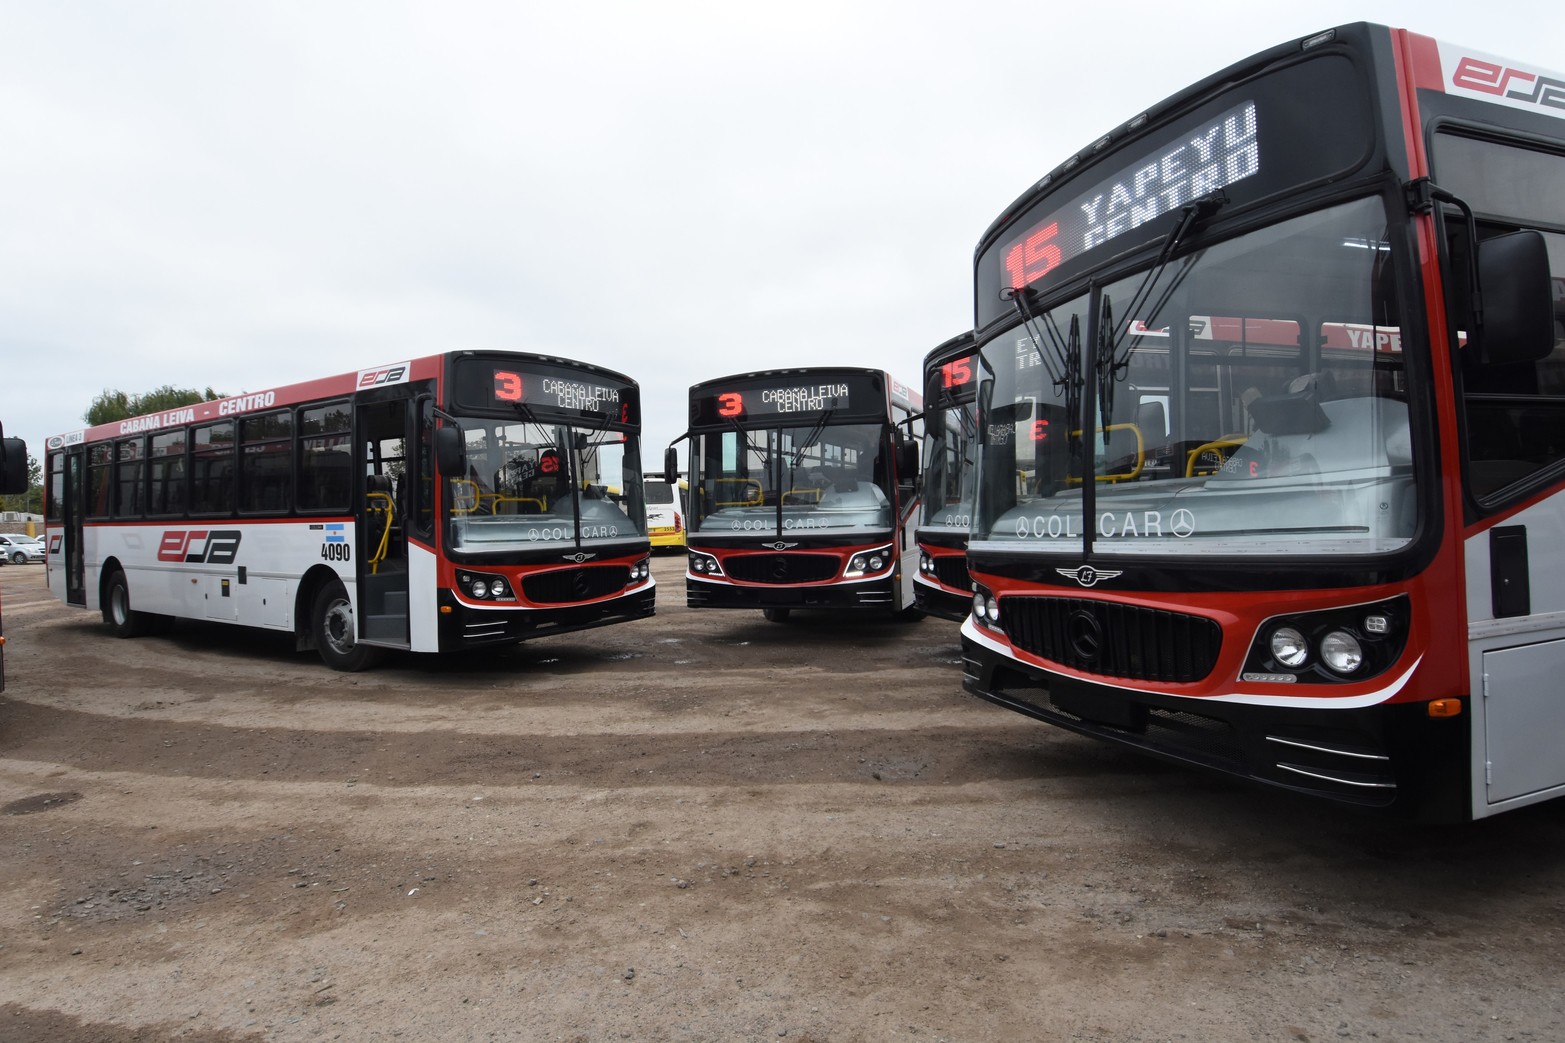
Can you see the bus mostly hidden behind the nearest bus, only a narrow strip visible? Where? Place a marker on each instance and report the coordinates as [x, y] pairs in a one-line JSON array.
[[951, 474]]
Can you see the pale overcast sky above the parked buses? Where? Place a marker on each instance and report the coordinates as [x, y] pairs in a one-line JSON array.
[[250, 195]]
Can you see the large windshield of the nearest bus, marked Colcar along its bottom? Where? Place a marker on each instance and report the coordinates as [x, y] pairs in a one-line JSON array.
[[1245, 399]]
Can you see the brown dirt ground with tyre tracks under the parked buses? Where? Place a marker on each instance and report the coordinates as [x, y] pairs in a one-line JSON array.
[[697, 828]]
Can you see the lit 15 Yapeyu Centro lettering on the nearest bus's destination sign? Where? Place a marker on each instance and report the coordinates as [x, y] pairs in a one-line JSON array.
[[1209, 157]]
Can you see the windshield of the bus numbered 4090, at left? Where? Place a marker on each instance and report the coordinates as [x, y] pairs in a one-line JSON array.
[[533, 483]]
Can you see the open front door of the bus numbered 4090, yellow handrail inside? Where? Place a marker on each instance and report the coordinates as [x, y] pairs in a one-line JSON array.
[[383, 438]]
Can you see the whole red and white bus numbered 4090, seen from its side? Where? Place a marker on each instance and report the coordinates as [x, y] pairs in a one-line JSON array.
[[444, 503]]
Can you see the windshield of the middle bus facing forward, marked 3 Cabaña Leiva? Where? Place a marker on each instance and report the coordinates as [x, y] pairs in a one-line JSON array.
[[819, 478]]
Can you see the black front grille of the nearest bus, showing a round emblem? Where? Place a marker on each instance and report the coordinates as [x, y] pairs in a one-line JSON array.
[[1113, 640]]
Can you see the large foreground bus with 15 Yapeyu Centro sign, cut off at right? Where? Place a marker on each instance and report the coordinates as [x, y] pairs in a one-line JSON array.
[[1272, 474]]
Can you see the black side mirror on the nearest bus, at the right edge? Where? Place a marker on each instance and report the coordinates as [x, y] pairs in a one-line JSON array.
[[1519, 300]]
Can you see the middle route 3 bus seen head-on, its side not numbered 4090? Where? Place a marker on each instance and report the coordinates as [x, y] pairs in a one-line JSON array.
[[802, 493]]
